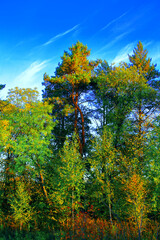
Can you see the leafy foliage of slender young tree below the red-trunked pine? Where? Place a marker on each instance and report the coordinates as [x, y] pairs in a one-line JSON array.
[[71, 171]]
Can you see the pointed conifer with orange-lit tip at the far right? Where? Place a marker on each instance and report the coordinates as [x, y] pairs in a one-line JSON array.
[[146, 99]]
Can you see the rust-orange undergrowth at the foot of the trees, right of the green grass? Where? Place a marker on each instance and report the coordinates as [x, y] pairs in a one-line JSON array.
[[86, 227]]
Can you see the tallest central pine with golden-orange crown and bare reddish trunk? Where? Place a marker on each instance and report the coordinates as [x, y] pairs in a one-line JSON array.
[[71, 77]]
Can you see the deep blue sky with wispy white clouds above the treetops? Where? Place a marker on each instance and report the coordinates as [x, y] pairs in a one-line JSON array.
[[35, 33]]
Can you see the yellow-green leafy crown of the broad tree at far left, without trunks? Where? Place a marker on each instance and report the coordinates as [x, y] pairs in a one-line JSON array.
[[28, 128]]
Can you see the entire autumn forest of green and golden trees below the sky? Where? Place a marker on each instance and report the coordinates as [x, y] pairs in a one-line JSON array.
[[83, 162]]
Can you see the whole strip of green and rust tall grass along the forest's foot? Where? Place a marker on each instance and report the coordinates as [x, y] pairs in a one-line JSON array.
[[86, 227]]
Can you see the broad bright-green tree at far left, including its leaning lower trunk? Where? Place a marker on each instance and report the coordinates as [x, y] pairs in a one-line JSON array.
[[27, 139]]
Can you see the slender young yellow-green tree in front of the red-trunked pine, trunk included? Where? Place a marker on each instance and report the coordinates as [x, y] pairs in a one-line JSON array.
[[71, 178]]
